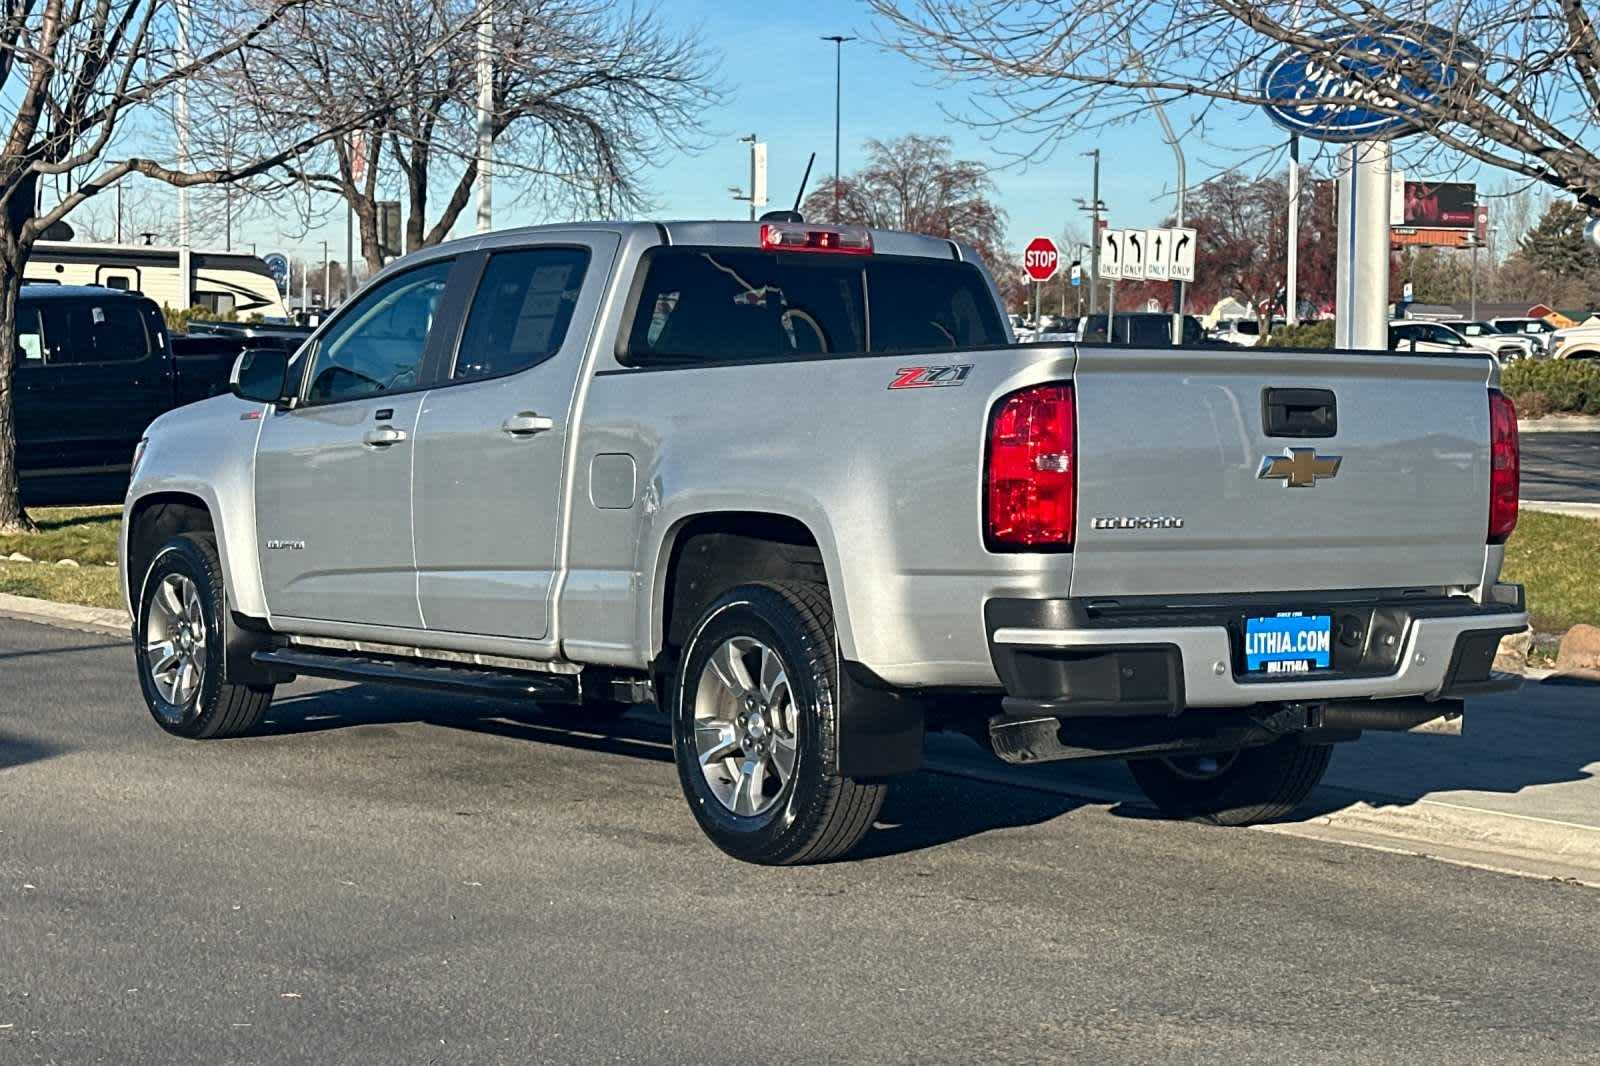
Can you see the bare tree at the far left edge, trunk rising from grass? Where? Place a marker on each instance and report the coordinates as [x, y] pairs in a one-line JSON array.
[[74, 74]]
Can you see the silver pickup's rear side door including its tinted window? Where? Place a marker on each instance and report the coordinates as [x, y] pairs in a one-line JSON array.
[[494, 436]]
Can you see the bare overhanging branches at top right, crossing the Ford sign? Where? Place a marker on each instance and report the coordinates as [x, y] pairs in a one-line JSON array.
[[1522, 89]]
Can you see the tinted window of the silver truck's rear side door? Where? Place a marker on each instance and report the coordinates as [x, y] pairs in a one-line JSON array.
[[521, 311]]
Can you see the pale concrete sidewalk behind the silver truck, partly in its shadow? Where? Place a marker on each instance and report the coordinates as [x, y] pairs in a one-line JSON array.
[[1518, 791]]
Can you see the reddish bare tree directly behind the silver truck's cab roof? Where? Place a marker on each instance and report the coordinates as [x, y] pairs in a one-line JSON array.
[[918, 185]]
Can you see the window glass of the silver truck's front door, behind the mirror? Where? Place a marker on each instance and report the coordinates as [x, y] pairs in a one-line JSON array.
[[378, 345]]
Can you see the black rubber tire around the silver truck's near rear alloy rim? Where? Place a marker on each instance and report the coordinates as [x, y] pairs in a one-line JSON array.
[[817, 816]]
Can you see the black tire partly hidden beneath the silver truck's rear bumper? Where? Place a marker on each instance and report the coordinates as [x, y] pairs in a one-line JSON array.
[[1250, 787]]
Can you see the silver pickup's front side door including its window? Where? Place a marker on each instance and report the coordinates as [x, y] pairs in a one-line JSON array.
[[334, 475]]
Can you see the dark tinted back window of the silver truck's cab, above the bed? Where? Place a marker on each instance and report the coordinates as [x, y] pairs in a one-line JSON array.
[[714, 305]]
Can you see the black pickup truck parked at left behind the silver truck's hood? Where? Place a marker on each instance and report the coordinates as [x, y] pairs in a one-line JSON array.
[[94, 369]]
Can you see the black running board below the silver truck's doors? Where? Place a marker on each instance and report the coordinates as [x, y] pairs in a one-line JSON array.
[[418, 675]]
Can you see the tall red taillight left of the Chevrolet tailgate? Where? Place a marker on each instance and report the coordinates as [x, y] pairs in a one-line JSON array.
[[1031, 486]]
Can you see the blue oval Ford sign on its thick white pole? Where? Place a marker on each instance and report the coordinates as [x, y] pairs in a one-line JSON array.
[[1337, 98]]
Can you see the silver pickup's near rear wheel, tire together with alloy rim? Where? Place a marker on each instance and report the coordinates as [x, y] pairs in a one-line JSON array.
[[756, 729]]
